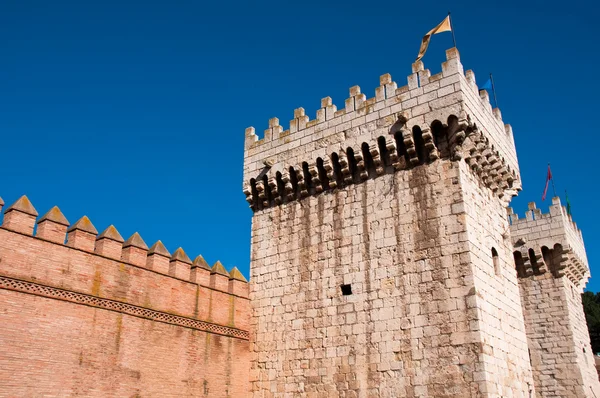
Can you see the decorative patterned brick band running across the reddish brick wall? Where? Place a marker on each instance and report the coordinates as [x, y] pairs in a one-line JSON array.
[[141, 312]]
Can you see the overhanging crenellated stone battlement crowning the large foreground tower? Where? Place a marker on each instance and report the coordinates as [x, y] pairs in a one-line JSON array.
[[432, 117]]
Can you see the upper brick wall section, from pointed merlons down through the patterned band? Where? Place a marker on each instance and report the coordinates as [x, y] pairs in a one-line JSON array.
[[76, 263]]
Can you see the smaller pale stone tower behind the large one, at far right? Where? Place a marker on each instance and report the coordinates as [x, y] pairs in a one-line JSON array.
[[553, 270]]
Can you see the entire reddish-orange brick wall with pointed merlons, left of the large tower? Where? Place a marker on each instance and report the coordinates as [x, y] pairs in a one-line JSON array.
[[80, 320]]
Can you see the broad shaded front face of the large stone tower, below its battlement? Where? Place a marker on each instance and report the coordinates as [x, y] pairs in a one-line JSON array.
[[384, 239]]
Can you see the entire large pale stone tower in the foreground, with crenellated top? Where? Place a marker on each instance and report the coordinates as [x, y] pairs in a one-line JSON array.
[[381, 262]]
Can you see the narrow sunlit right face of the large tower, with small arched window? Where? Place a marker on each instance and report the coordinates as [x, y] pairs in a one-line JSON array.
[[504, 357]]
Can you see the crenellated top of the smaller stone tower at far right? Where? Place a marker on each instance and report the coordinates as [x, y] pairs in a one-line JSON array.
[[549, 242]]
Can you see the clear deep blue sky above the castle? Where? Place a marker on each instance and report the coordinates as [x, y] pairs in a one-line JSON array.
[[133, 112]]
